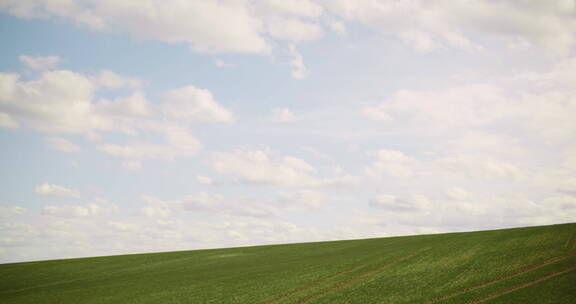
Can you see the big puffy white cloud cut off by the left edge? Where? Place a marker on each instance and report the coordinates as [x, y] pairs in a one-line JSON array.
[[62, 101]]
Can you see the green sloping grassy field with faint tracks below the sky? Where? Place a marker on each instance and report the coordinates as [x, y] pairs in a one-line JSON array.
[[522, 265]]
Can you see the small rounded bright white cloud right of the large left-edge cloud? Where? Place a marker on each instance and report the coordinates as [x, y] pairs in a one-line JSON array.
[[193, 104]]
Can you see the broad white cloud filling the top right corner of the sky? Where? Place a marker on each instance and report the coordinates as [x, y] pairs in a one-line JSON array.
[[427, 25]]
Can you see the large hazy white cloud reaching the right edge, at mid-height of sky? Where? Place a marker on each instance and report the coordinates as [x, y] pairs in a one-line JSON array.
[[544, 109]]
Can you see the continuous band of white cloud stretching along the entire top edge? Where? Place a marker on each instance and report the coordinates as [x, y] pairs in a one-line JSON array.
[[247, 26]]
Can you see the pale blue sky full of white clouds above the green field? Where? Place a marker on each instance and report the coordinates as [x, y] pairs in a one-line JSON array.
[[148, 126]]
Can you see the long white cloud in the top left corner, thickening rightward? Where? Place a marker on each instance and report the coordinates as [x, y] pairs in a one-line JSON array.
[[208, 26]]
